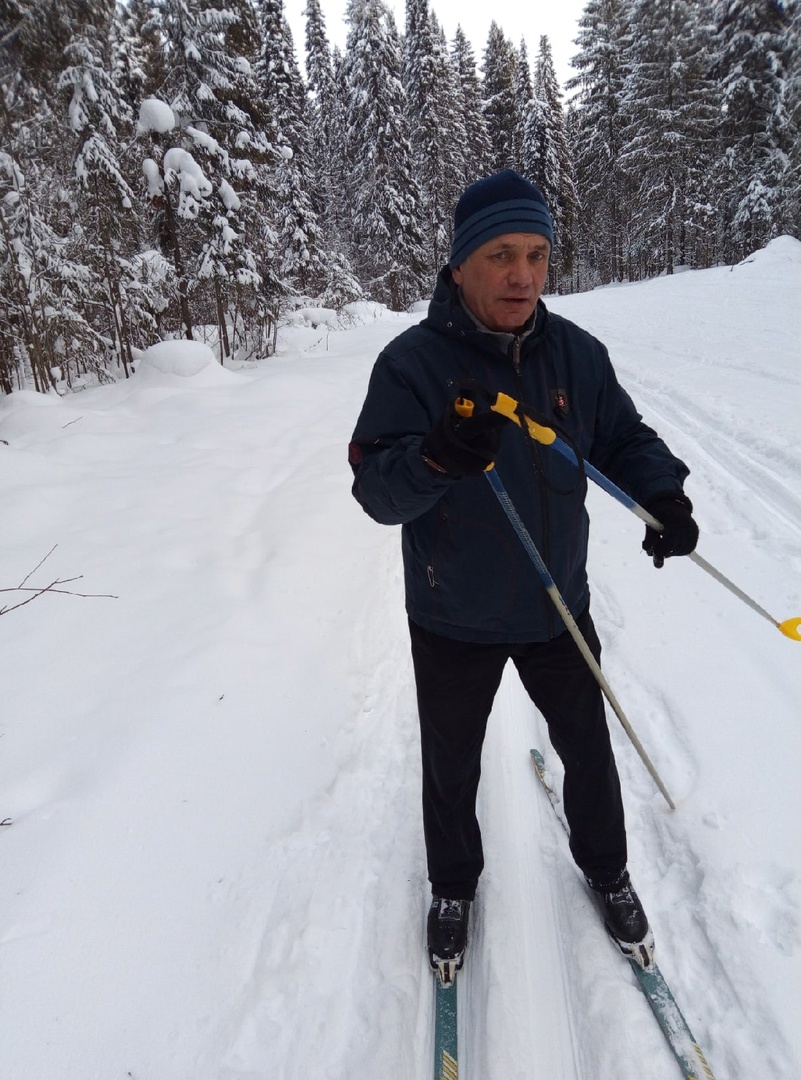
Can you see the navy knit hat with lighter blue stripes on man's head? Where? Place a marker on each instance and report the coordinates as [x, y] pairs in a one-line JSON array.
[[506, 202]]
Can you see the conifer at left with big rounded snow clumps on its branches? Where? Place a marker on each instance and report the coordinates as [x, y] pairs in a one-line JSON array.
[[203, 172]]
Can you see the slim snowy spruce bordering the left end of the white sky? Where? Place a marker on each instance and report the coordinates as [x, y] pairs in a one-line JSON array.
[[304, 263]]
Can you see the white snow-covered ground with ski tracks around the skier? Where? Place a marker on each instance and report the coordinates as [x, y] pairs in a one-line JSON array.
[[214, 868]]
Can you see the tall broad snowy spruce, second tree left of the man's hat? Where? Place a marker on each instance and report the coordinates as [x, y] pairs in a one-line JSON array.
[[387, 240]]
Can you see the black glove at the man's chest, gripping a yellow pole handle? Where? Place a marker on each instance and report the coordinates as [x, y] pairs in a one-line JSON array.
[[464, 445]]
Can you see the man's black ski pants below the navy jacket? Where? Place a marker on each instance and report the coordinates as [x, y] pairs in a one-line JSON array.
[[456, 686]]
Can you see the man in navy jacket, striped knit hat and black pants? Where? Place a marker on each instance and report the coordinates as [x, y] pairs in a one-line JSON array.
[[472, 597]]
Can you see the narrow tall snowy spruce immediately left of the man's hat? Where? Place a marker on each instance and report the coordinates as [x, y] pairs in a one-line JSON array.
[[437, 136]]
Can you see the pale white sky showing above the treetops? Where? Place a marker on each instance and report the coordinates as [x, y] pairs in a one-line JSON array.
[[559, 21]]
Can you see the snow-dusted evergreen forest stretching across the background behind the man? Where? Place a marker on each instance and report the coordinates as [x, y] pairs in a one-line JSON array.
[[168, 169]]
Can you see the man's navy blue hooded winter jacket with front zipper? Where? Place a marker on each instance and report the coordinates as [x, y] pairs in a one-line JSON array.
[[467, 574]]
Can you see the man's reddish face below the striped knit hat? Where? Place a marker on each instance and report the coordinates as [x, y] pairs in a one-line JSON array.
[[501, 281]]
